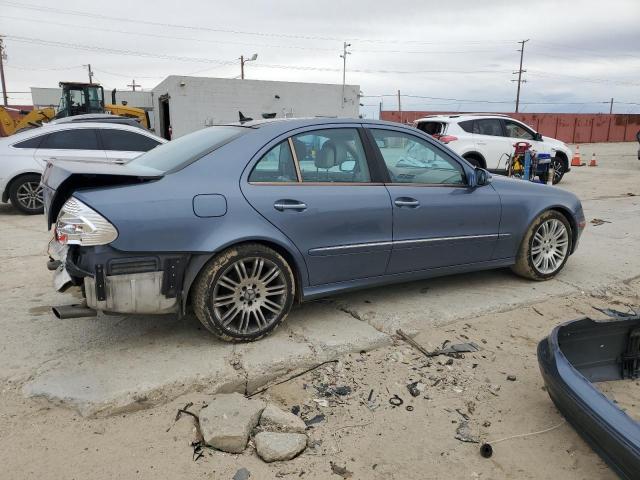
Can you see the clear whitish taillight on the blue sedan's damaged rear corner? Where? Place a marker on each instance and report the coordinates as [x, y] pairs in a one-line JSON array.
[[79, 224]]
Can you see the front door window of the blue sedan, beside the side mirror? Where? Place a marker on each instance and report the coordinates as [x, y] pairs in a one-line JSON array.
[[411, 159]]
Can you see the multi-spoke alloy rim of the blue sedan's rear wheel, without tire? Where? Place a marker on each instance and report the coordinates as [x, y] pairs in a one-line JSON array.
[[250, 295]]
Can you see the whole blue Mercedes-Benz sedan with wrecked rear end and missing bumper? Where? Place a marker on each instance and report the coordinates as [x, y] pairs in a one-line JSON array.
[[238, 222]]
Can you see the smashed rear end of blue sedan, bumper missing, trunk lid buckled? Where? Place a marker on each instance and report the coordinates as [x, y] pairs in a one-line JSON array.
[[80, 253]]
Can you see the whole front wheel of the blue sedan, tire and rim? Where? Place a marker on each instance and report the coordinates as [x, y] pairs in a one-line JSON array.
[[545, 248]]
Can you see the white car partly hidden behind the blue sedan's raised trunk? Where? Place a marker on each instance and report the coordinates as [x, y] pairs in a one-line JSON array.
[[24, 155]]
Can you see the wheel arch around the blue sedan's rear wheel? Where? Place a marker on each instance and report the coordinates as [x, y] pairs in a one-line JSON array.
[[199, 261]]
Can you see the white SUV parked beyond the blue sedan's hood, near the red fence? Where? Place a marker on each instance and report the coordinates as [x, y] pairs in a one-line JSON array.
[[487, 141]]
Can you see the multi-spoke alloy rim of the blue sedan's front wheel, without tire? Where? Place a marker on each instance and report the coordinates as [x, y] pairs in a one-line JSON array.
[[549, 246]]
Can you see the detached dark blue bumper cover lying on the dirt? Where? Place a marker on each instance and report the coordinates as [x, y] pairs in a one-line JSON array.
[[582, 352]]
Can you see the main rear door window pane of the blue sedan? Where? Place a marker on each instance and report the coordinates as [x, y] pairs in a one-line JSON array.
[[332, 155]]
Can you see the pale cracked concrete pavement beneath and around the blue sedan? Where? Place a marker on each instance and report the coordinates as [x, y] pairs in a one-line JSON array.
[[112, 364]]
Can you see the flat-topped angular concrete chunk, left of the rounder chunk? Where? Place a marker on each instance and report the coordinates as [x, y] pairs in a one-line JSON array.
[[228, 420]]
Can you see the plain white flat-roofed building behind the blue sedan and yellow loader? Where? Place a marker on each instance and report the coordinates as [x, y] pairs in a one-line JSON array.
[[187, 104]]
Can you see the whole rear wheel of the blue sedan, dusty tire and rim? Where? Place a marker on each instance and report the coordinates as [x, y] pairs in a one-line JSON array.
[[244, 293]]
